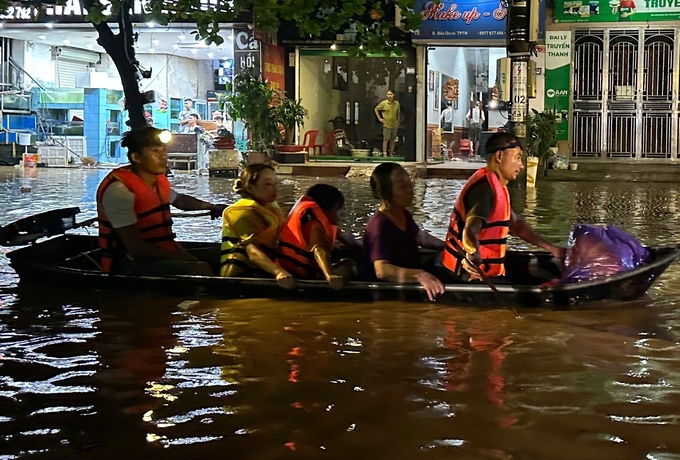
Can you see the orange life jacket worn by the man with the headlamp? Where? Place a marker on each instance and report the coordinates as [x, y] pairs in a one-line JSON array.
[[153, 215]]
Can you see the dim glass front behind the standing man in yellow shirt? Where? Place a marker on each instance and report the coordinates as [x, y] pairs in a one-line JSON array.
[[341, 94]]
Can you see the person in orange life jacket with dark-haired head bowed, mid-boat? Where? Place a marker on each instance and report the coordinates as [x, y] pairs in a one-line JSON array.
[[310, 234]]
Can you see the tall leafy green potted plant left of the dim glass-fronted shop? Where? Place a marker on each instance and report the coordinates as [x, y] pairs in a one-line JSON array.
[[253, 102]]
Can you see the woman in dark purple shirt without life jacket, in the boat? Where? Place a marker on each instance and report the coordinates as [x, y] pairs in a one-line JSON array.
[[392, 237]]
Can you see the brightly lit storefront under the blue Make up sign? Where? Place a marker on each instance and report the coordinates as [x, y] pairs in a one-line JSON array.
[[460, 44]]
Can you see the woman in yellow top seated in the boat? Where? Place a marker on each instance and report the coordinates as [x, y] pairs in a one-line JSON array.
[[252, 226]]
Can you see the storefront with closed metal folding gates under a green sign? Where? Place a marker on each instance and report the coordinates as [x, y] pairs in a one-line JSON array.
[[613, 68]]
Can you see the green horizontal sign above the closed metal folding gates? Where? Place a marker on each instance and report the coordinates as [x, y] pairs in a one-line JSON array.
[[616, 10]]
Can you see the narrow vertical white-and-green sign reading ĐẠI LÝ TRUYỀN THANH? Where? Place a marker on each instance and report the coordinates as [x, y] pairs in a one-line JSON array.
[[557, 77]]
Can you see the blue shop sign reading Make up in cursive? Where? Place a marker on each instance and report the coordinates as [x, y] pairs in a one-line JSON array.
[[466, 19]]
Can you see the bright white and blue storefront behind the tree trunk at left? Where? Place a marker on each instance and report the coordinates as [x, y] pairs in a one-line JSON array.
[[76, 89]]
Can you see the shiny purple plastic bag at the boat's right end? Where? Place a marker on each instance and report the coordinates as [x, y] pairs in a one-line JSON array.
[[595, 252]]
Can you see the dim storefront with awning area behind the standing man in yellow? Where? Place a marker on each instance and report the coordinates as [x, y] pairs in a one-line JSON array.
[[341, 92]]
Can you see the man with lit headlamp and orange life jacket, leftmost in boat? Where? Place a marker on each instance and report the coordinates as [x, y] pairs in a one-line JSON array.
[[133, 209]]
